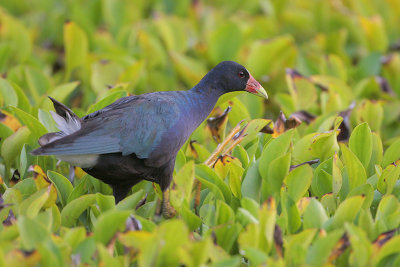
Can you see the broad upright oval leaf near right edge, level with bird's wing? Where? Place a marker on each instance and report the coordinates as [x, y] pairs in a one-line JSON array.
[[360, 143]]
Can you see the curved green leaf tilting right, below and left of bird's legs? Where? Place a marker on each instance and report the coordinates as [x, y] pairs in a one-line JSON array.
[[71, 212]]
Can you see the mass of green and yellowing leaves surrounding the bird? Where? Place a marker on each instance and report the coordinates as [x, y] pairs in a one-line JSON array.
[[332, 65]]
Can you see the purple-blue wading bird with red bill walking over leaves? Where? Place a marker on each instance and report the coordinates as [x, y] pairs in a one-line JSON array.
[[138, 137]]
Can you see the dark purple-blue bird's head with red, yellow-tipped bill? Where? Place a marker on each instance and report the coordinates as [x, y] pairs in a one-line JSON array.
[[231, 76]]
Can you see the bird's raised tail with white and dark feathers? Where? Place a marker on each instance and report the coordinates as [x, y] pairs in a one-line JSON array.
[[67, 122]]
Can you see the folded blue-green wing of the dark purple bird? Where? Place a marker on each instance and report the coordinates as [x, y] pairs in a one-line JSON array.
[[130, 125]]
